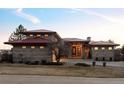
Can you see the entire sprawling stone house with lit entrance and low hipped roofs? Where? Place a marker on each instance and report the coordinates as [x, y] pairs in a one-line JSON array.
[[41, 44]]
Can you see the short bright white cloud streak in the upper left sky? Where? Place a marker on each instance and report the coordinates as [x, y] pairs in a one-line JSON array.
[[29, 17]]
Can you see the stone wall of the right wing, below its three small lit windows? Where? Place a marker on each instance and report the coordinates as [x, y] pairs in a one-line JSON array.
[[103, 55]]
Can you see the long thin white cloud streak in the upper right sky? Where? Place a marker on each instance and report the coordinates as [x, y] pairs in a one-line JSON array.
[[108, 18]]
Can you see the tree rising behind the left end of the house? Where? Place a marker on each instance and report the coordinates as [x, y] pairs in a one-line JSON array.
[[16, 35]]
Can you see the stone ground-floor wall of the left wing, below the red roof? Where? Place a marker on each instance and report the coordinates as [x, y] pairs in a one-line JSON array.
[[29, 54]]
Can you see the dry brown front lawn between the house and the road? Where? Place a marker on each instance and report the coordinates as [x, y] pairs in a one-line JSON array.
[[52, 70]]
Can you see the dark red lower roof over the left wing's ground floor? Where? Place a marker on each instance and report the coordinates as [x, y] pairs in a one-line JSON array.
[[30, 41]]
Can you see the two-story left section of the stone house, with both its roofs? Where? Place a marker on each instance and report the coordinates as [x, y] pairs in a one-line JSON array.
[[36, 46]]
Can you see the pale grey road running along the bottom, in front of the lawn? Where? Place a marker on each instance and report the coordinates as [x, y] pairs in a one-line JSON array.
[[28, 79]]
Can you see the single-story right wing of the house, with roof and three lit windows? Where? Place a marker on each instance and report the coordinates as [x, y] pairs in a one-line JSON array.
[[103, 50]]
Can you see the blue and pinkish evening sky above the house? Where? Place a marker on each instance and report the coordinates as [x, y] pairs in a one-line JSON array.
[[101, 24]]
